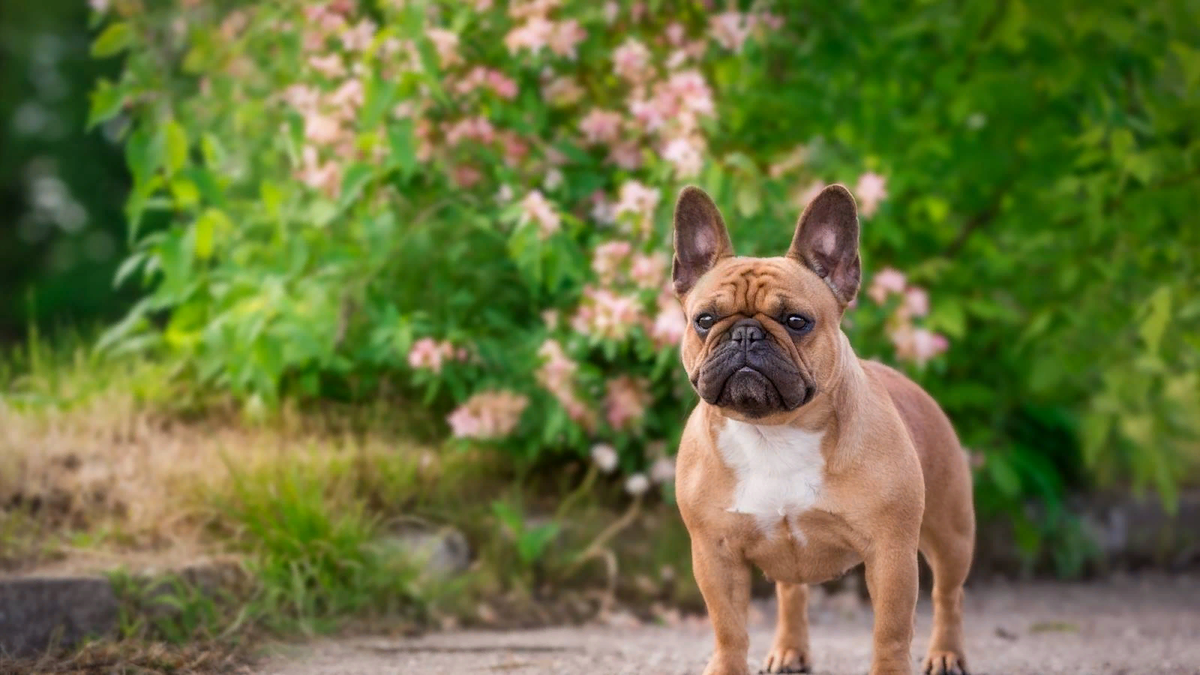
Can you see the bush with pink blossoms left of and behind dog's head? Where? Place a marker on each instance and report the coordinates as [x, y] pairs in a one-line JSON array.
[[472, 199]]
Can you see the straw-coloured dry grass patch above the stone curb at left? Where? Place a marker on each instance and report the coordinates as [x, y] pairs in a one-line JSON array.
[[118, 480]]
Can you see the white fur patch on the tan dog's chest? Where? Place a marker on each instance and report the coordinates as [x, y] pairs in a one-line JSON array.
[[779, 471]]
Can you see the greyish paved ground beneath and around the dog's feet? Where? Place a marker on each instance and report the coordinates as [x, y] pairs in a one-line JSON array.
[[1131, 626]]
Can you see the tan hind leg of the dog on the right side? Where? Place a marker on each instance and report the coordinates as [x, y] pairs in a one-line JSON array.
[[949, 548]]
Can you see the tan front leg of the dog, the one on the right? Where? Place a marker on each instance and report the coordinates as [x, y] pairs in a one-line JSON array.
[[892, 582]]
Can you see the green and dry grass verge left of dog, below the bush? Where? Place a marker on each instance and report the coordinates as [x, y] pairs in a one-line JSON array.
[[128, 469]]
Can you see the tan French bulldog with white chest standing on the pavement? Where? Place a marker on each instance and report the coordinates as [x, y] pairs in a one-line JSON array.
[[801, 458]]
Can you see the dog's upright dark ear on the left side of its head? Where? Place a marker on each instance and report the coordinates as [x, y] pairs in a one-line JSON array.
[[700, 238]]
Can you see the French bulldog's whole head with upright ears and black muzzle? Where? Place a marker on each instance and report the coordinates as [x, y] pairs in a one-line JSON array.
[[765, 334]]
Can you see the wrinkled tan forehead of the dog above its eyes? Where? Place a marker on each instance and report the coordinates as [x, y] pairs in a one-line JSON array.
[[759, 285]]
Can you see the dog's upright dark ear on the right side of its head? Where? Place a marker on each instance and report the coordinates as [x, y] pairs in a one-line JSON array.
[[827, 242]]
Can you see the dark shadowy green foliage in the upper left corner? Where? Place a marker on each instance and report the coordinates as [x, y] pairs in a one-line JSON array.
[[62, 188]]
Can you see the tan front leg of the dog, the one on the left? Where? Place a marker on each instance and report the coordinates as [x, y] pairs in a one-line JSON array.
[[724, 581]]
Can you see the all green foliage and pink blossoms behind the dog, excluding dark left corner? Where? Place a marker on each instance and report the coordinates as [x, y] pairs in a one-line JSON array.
[[471, 205]]
